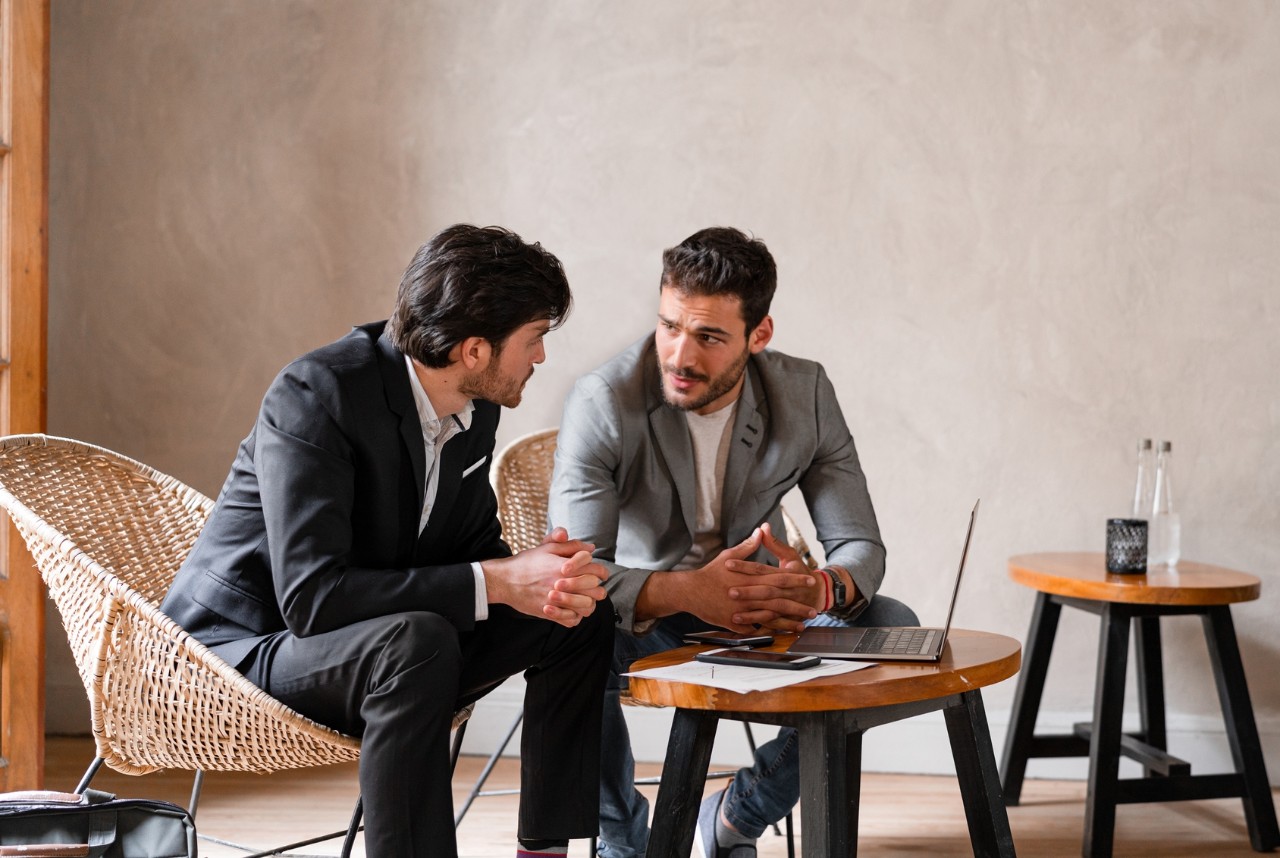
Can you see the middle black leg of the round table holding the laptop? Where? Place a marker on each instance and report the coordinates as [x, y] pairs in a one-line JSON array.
[[831, 769]]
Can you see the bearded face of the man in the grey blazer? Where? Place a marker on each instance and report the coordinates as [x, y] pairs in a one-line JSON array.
[[703, 346]]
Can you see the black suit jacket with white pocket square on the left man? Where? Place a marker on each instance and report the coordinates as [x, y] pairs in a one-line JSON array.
[[317, 526]]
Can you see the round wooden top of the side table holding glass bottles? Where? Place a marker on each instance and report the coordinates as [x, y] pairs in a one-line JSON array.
[[1085, 576]]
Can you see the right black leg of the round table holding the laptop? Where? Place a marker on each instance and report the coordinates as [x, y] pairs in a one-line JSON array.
[[980, 782]]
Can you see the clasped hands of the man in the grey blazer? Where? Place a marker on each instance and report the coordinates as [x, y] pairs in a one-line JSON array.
[[746, 596]]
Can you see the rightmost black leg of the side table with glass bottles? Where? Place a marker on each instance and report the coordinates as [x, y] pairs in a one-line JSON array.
[[1242, 732]]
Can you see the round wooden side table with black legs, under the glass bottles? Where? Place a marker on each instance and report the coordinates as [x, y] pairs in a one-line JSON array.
[[1081, 581]]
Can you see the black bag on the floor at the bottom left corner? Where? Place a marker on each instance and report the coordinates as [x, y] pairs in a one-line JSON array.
[[97, 825]]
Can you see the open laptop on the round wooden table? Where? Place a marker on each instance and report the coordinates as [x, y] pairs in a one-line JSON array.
[[885, 643]]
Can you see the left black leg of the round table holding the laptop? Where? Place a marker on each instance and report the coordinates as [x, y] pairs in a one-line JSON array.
[[684, 775]]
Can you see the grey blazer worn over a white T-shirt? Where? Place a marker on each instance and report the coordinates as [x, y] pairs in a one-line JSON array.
[[625, 471]]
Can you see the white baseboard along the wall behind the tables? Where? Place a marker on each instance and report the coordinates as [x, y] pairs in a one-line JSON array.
[[916, 746]]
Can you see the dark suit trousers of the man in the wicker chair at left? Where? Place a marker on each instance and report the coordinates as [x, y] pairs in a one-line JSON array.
[[397, 681]]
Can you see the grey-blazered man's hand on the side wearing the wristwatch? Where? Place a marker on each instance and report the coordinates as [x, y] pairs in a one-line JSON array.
[[772, 603]]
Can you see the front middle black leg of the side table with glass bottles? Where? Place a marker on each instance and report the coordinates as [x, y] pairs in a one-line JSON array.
[[1100, 811]]
